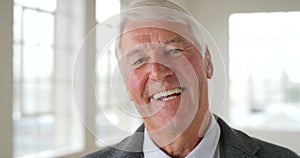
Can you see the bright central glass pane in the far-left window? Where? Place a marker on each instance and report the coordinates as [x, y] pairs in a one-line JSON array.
[[37, 62]]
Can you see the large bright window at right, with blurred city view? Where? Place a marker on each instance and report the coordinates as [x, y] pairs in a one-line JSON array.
[[264, 79]]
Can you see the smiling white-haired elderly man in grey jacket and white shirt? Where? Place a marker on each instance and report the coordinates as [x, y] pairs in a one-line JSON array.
[[166, 63]]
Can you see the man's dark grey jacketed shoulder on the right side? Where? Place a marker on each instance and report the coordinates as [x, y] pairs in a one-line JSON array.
[[235, 142]]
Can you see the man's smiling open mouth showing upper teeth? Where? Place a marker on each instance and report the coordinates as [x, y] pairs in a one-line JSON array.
[[168, 95]]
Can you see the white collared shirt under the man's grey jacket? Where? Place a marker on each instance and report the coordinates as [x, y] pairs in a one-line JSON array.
[[207, 148]]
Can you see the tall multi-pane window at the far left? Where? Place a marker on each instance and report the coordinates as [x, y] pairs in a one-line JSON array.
[[42, 110]]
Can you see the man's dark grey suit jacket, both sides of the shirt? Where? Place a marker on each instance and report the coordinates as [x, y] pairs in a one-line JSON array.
[[233, 144]]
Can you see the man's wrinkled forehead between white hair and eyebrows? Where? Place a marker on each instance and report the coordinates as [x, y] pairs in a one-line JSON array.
[[135, 33]]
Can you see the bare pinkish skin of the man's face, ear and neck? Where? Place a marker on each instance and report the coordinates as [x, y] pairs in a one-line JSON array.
[[156, 60]]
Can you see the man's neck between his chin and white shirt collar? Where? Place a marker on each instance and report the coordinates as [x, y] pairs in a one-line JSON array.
[[187, 141]]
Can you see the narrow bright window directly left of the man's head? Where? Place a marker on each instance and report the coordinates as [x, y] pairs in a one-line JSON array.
[[116, 116]]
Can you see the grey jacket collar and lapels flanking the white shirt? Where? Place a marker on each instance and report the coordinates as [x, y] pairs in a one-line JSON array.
[[233, 143]]
